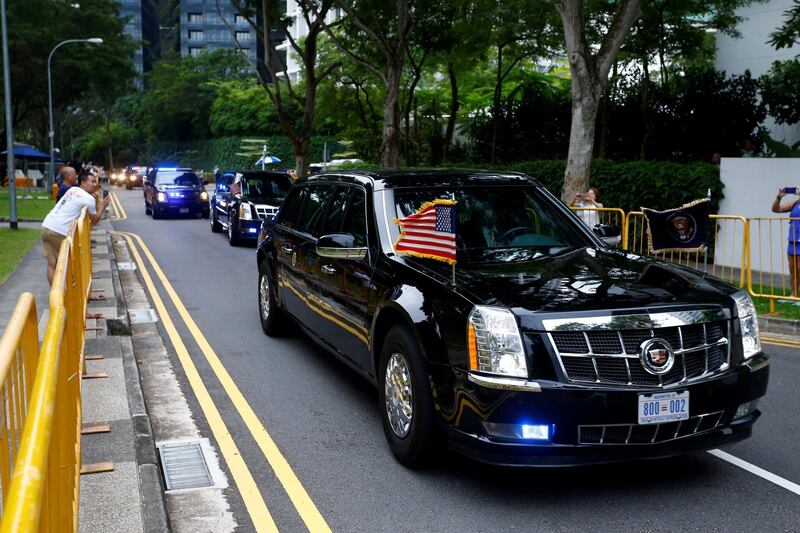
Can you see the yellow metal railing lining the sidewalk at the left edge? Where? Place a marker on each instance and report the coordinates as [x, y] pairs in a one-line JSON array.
[[44, 488]]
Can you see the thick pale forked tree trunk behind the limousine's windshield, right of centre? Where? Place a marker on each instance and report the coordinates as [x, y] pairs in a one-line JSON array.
[[589, 77]]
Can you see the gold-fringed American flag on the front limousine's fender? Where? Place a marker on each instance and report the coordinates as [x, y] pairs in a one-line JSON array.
[[430, 232]]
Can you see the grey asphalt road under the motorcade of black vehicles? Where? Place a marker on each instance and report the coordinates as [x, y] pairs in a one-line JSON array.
[[325, 421]]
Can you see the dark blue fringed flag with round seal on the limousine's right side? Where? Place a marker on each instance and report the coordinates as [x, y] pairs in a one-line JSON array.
[[683, 229]]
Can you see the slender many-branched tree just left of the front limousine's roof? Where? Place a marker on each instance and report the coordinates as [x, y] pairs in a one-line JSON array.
[[264, 16]]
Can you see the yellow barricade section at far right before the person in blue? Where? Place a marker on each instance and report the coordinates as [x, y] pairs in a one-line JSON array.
[[771, 274]]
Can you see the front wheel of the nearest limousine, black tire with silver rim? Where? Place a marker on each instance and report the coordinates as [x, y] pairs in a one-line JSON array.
[[407, 413]]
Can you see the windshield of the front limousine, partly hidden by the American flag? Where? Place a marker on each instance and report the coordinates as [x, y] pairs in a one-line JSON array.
[[500, 224]]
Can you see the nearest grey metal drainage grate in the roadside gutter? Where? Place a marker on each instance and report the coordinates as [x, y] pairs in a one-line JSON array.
[[185, 465]]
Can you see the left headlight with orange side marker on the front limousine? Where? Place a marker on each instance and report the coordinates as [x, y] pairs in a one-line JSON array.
[[494, 342]]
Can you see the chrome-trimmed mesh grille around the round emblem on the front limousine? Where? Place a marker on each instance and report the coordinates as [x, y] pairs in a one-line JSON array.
[[612, 357]]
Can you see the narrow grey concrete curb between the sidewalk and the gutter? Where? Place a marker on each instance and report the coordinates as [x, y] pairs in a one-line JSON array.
[[151, 488]]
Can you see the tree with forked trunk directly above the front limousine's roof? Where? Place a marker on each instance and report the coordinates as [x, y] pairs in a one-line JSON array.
[[387, 25]]
